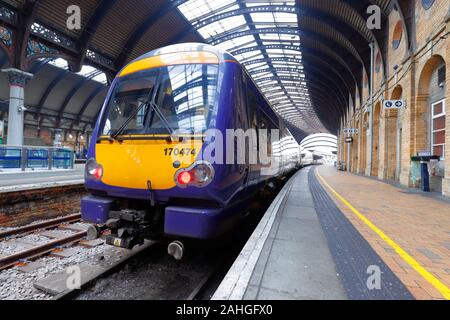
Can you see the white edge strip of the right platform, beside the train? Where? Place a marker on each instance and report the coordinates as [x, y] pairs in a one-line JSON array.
[[235, 283]]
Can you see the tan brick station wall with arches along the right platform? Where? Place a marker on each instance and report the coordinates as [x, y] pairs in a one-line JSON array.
[[400, 134]]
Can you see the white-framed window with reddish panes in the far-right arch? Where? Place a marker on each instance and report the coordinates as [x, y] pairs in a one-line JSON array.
[[438, 128]]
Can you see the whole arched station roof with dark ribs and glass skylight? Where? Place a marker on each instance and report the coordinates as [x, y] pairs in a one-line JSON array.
[[311, 59]]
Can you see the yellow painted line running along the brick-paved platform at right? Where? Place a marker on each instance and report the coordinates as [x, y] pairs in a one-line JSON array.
[[442, 288]]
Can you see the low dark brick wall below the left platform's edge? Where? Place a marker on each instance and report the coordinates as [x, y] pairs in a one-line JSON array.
[[22, 207]]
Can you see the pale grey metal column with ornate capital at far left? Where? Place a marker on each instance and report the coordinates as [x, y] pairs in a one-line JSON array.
[[16, 115]]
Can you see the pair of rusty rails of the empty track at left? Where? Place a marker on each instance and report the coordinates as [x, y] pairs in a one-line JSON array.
[[43, 249]]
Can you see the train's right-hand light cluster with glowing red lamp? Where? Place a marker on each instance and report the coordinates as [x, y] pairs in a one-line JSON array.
[[200, 174]]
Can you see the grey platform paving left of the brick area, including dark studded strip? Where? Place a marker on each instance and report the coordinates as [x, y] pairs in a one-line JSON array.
[[306, 249]]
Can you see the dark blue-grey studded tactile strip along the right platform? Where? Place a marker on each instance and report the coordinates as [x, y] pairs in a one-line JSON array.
[[352, 254]]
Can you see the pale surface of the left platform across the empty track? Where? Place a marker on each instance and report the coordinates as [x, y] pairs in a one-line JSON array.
[[18, 180]]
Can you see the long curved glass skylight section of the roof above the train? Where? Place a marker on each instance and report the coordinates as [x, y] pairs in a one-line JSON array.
[[274, 60]]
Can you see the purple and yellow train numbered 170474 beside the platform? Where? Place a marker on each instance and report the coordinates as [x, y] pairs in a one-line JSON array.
[[147, 175]]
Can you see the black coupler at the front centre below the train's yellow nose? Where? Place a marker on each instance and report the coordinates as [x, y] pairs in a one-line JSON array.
[[129, 228]]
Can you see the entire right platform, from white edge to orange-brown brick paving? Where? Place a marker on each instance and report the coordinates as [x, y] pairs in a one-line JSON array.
[[335, 235]]
